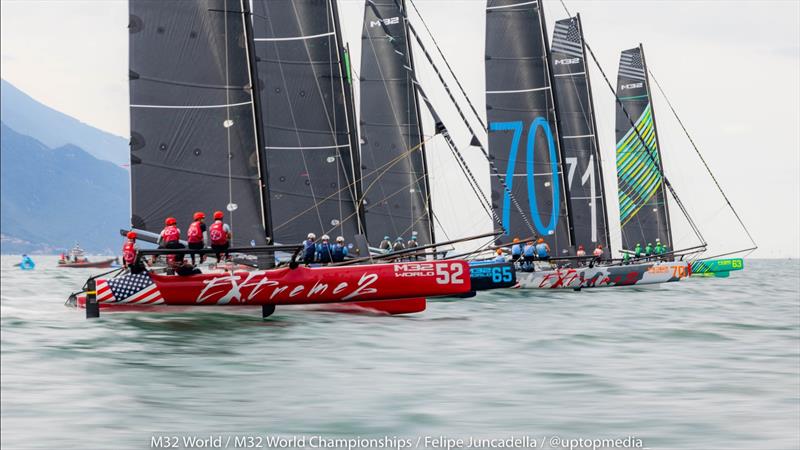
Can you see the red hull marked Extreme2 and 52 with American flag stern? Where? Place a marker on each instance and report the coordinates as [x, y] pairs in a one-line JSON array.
[[409, 282]]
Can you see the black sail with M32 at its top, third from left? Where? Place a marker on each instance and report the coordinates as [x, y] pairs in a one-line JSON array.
[[396, 194]]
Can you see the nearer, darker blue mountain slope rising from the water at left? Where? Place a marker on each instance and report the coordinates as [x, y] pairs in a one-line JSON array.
[[52, 198]]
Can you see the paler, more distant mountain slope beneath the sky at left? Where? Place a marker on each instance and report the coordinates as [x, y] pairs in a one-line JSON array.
[[25, 115]]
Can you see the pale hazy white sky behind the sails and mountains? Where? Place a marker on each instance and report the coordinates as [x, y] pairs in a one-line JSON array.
[[731, 68]]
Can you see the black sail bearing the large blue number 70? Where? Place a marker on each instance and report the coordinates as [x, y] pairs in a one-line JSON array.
[[523, 130]]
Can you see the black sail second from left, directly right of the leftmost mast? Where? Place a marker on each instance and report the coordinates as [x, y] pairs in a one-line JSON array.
[[307, 117]]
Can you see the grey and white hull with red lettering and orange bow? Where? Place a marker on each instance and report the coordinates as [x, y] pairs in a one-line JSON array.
[[604, 276]]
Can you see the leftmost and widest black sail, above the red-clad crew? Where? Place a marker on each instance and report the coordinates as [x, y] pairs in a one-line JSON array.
[[193, 141]]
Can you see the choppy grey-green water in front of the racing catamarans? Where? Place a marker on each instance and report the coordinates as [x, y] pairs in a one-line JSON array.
[[705, 363]]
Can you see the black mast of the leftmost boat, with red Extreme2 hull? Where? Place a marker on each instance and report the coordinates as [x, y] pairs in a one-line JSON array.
[[255, 86]]
